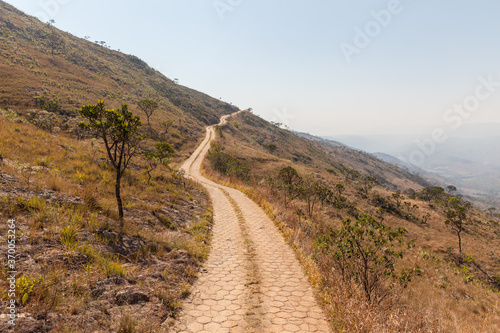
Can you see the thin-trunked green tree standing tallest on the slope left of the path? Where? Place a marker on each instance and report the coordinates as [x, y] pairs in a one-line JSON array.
[[119, 129]]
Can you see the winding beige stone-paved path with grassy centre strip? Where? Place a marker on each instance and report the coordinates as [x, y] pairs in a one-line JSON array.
[[252, 281]]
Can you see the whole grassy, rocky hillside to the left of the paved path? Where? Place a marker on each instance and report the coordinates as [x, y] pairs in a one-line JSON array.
[[80, 267]]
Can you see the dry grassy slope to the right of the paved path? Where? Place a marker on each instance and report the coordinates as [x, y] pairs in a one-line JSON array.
[[448, 292]]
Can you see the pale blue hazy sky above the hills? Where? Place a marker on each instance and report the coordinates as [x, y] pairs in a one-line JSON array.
[[325, 67]]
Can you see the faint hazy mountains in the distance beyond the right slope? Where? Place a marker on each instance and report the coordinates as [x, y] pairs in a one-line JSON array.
[[469, 158]]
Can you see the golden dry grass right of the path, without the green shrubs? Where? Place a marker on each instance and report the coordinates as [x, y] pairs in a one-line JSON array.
[[443, 297]]
